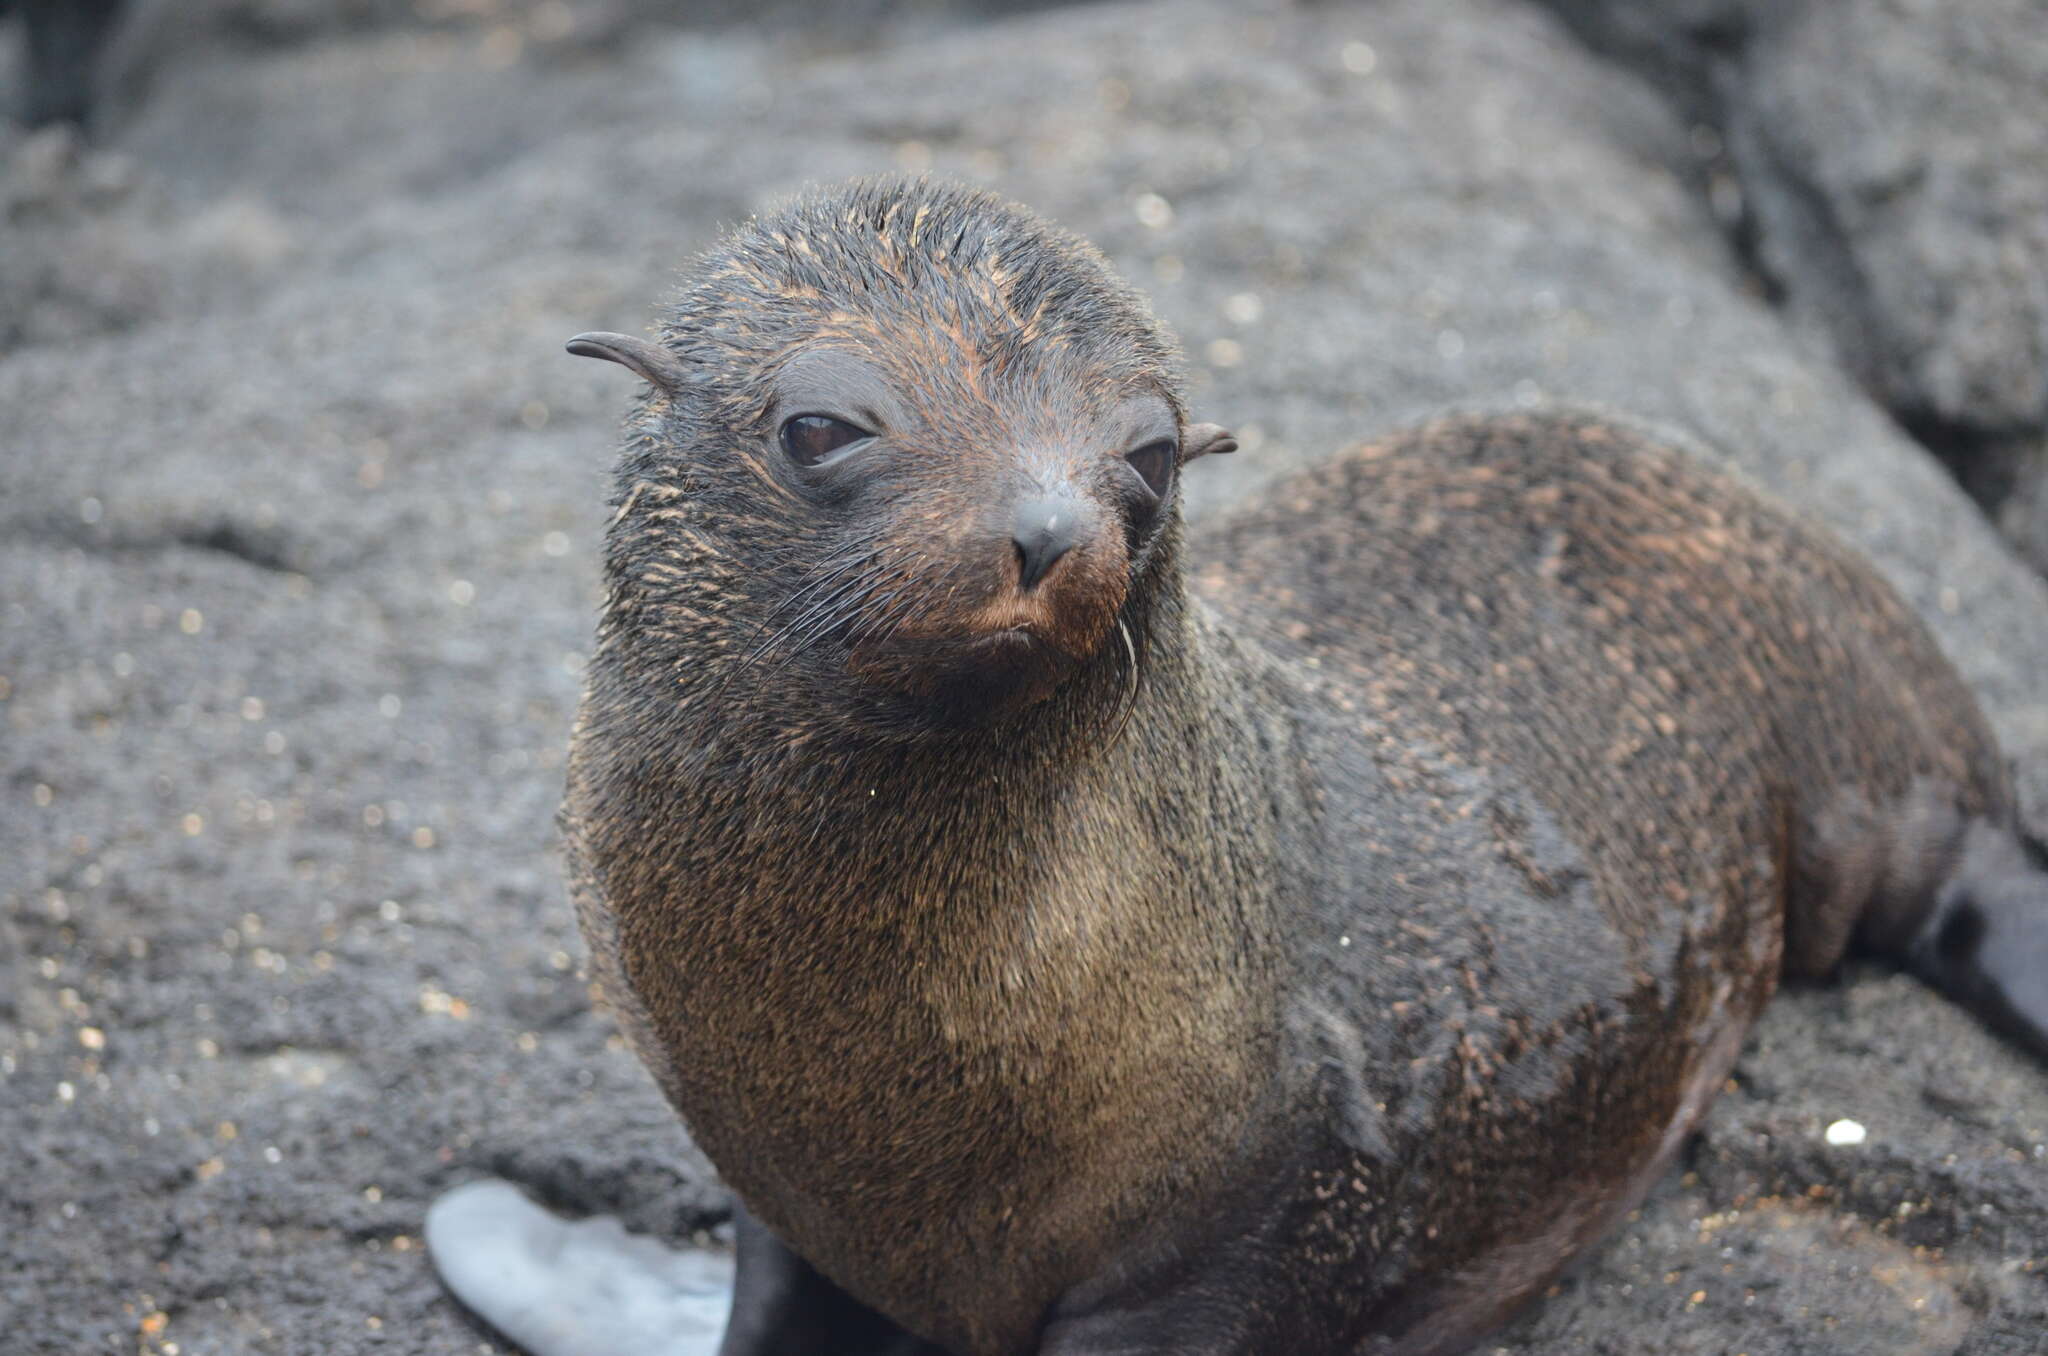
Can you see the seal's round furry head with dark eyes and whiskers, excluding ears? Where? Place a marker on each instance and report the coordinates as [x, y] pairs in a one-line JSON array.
[[925, 460]]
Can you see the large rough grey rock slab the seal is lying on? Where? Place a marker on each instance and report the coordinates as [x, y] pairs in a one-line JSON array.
[[300, 507]]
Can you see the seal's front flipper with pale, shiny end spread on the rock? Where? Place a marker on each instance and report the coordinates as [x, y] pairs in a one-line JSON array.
[[593, 1289]]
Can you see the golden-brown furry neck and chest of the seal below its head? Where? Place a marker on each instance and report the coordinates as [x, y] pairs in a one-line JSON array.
[[986, 945]]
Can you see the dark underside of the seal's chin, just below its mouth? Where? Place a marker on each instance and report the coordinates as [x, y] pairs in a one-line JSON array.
[[962, 683]]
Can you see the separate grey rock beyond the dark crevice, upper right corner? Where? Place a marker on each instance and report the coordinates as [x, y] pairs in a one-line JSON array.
[[1887, 165]]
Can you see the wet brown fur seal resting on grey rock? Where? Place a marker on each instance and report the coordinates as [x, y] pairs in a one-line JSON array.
[[1070, 949]]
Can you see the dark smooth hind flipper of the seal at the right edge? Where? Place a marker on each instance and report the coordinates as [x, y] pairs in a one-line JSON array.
[[1986, 941]]
